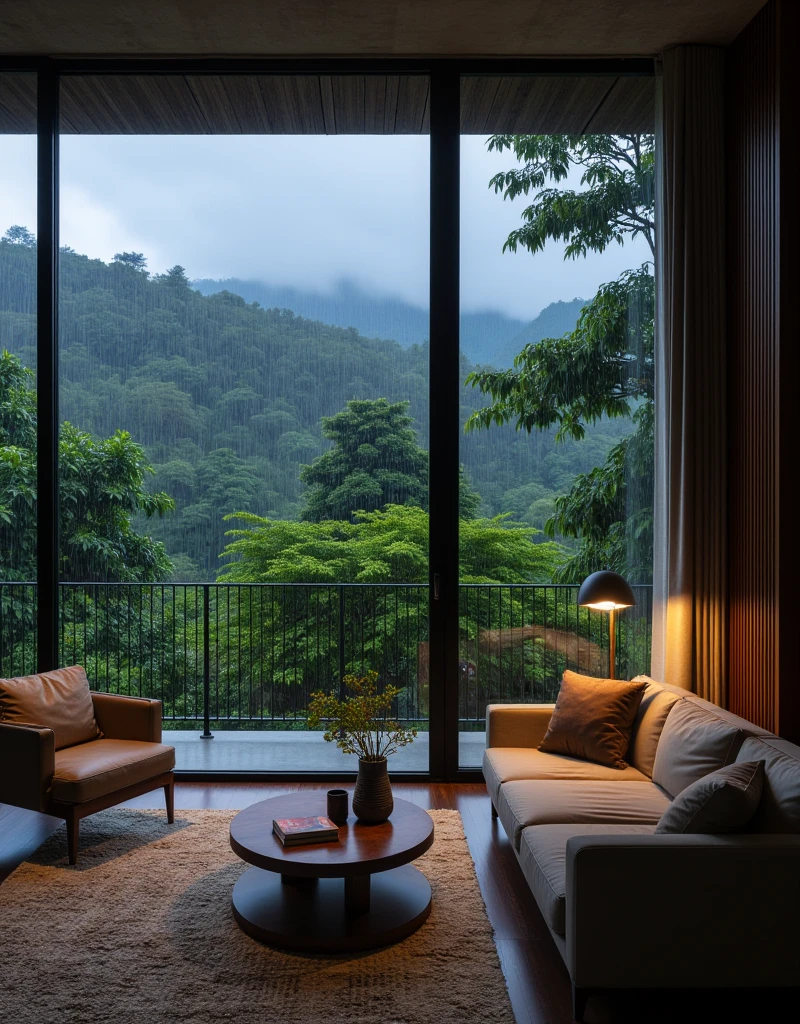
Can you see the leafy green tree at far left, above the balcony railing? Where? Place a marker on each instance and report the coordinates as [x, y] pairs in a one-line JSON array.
[[102, 490]]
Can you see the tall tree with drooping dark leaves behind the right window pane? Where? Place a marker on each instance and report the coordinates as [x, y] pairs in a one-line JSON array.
[[605, 368]]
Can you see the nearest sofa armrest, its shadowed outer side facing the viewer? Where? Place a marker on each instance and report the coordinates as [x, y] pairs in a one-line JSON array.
[[651, 912]]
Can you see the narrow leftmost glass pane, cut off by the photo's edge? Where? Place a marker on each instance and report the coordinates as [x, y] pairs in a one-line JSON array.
[[18, 375]]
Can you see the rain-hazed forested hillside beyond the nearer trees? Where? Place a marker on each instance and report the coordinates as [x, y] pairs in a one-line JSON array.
[[227, 397]]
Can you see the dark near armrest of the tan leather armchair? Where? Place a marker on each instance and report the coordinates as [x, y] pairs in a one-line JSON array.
[[27, 765]]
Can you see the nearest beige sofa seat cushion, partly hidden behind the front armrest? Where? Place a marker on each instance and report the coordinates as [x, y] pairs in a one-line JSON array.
[[543, 860]]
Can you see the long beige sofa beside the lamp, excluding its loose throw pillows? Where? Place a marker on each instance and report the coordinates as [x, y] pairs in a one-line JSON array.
[[628, 909]]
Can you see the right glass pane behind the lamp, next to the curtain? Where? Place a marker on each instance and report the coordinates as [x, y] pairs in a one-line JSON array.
[[558, 243]]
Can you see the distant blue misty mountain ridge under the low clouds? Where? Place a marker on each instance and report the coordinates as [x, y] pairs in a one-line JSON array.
[[487, 336]]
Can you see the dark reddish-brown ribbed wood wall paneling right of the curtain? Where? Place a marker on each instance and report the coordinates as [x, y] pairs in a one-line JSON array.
[[763, 97]]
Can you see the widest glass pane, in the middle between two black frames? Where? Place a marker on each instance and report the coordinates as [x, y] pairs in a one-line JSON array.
[[244, 385]]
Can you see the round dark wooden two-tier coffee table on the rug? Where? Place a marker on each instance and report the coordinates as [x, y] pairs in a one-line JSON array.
[[359, 893]]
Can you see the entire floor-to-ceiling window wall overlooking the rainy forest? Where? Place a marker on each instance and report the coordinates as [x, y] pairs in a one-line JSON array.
[[264, 474]]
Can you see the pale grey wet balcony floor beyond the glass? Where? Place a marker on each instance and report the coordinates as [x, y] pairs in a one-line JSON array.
[[245, 751]]
